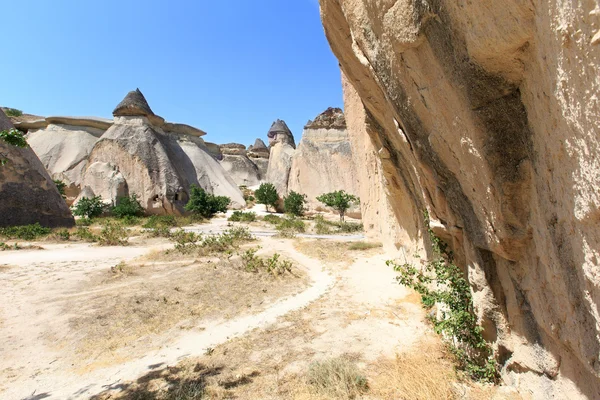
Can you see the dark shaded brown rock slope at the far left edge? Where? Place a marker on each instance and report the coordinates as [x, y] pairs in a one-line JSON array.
[[27, 194]]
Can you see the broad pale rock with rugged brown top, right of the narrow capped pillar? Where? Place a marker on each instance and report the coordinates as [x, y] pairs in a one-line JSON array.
[[323, 161]]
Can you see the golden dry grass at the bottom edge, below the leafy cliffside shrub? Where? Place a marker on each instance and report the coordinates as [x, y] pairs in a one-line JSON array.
[[426, 373]]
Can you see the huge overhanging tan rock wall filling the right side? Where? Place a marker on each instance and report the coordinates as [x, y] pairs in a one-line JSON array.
[[486, 114]]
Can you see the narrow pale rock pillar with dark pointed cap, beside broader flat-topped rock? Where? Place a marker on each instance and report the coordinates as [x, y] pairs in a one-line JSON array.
[[281, 141]]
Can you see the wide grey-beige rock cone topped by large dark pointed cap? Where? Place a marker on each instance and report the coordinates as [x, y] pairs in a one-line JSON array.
[[142, 154]]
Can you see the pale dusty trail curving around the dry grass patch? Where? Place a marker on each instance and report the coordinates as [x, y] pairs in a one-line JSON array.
[[36, 371]]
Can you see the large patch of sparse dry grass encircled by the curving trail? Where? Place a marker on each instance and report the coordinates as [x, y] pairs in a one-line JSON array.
[[133, 303]]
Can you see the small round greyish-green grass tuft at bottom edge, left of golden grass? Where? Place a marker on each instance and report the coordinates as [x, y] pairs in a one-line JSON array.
[[337, 378]]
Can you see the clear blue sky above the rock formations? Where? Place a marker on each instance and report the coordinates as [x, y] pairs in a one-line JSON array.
[[228, 67]]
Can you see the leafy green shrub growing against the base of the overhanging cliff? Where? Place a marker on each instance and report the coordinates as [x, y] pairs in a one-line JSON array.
[[442, 282]]
